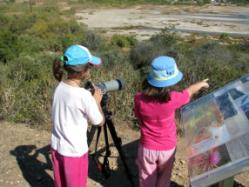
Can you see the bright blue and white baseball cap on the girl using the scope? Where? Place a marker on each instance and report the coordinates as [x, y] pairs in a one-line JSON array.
[[79, 55]]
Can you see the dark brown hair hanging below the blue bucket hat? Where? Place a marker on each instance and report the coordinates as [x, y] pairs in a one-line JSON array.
[[155, 93]]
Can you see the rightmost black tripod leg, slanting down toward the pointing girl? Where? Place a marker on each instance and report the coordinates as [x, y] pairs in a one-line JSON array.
[[117, 142]]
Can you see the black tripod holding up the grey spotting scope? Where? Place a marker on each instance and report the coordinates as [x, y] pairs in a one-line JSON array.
[[104, 167]]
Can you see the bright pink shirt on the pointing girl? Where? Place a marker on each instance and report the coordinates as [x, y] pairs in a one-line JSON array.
[[157, 119]]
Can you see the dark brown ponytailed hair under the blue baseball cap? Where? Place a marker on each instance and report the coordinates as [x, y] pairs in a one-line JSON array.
[[72, 71]]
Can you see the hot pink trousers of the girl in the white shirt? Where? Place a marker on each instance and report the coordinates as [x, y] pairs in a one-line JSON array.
[[70, 171]]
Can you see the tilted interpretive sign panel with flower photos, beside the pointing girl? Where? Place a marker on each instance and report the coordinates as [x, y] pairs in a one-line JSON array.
[[216, 131]]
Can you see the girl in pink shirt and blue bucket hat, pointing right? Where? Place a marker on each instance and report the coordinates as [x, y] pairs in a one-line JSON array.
[[155, 108]]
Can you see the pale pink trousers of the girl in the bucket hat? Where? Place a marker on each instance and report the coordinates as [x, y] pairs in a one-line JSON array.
[[155, 167]]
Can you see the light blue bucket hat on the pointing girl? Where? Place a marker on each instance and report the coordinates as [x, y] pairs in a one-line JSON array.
[[164, 72]]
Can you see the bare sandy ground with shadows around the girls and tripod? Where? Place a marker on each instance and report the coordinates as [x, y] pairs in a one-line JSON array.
[[25, 159]]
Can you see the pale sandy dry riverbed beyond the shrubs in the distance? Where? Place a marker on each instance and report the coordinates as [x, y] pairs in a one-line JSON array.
[[144, 21]]
